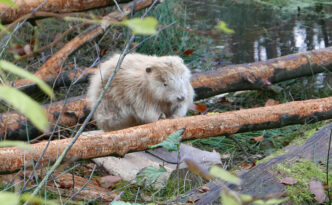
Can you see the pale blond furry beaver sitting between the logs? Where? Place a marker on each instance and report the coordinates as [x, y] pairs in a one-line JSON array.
[[145, 89]]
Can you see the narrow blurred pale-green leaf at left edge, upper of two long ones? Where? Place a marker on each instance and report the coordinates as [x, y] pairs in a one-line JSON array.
[[9, 67]]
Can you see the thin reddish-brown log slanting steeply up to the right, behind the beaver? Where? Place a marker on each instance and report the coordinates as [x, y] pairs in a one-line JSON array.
[[53, 66]]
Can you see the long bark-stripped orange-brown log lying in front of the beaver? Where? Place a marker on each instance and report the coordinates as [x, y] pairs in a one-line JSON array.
[[140, 137]]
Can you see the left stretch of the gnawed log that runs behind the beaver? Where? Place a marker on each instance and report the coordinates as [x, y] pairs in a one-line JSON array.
[[14, 126]]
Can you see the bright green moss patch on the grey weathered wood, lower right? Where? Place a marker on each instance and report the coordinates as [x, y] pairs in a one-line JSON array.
[[304, 172]]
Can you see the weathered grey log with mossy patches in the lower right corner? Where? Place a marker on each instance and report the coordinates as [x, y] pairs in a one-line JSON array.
[[262, 180]]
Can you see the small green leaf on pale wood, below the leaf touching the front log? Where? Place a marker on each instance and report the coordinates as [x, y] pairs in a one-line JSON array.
[[148, 175]]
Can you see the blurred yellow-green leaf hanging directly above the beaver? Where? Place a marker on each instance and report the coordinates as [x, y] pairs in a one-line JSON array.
[[146, 26]]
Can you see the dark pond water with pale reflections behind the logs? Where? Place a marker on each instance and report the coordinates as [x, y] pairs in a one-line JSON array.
[[260, 32]]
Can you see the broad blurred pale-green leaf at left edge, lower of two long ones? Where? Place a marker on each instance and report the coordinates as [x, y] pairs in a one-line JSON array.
[[25, 105]]
